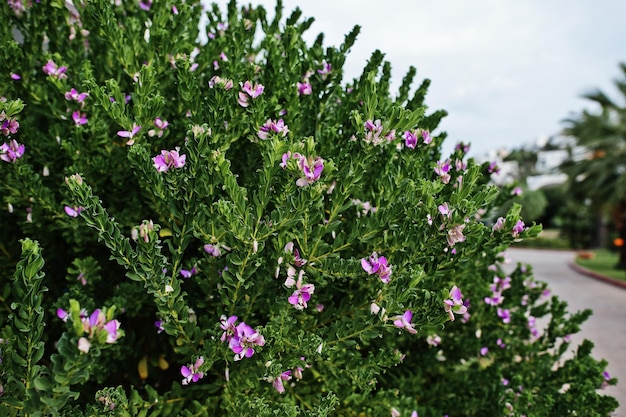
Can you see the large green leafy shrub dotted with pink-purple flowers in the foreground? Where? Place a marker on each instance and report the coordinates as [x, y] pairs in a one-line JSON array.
[[230, 227]]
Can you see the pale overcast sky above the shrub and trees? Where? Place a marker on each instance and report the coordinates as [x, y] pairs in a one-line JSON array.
[[508, 73]]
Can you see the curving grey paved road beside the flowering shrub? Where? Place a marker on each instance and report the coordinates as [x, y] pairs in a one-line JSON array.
[[606, 328]]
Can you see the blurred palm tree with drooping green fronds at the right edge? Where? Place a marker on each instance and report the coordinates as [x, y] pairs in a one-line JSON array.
[[599, 178]]
